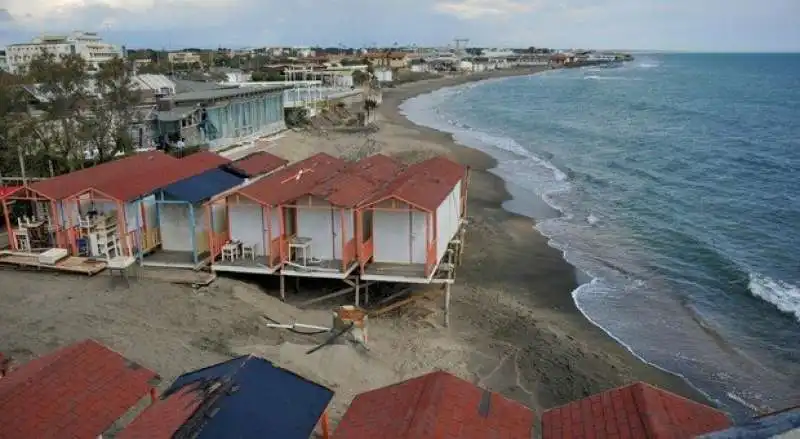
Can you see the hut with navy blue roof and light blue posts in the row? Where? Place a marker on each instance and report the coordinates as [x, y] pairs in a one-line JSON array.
[[179, 213]]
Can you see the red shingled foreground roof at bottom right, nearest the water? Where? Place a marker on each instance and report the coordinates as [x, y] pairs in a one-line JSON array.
[[635, 411]]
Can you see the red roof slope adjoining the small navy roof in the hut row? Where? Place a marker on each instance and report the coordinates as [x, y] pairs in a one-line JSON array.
[[139, 182]]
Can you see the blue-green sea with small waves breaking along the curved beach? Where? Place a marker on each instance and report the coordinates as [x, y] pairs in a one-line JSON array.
[[672, 182]]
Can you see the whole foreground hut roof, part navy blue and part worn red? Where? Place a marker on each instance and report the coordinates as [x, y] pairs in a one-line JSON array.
[[244, 398]]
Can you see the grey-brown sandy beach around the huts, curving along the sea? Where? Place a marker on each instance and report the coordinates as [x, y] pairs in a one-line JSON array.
[[514, 326]]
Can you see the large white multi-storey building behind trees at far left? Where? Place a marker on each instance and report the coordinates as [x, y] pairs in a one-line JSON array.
[[88, 45]]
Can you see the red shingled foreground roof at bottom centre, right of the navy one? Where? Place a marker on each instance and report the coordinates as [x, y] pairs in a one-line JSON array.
[[434, 406]]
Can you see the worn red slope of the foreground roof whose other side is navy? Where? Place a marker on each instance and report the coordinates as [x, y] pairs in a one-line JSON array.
[[164, 418]]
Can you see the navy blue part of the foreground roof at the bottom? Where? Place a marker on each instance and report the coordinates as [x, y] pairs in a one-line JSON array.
[[263, 401]]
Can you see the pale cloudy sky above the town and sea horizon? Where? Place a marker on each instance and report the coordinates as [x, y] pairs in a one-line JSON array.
[[683, 25]]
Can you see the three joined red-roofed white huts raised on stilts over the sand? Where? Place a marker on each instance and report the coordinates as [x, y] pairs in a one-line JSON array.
[[323, 217]]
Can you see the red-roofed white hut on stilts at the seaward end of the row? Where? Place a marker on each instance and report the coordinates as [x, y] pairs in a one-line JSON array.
[[410, 223]]
